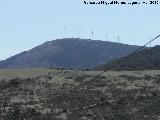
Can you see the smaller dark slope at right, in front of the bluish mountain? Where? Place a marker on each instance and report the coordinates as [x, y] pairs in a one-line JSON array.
[[146, 59]]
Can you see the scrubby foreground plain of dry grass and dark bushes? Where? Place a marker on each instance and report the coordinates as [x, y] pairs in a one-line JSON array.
[[56, 94]]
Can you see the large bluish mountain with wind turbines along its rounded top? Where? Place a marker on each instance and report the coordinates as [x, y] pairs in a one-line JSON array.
[[69, 53]]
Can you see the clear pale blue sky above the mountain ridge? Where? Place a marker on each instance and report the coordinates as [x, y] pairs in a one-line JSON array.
[[28, 23]]
